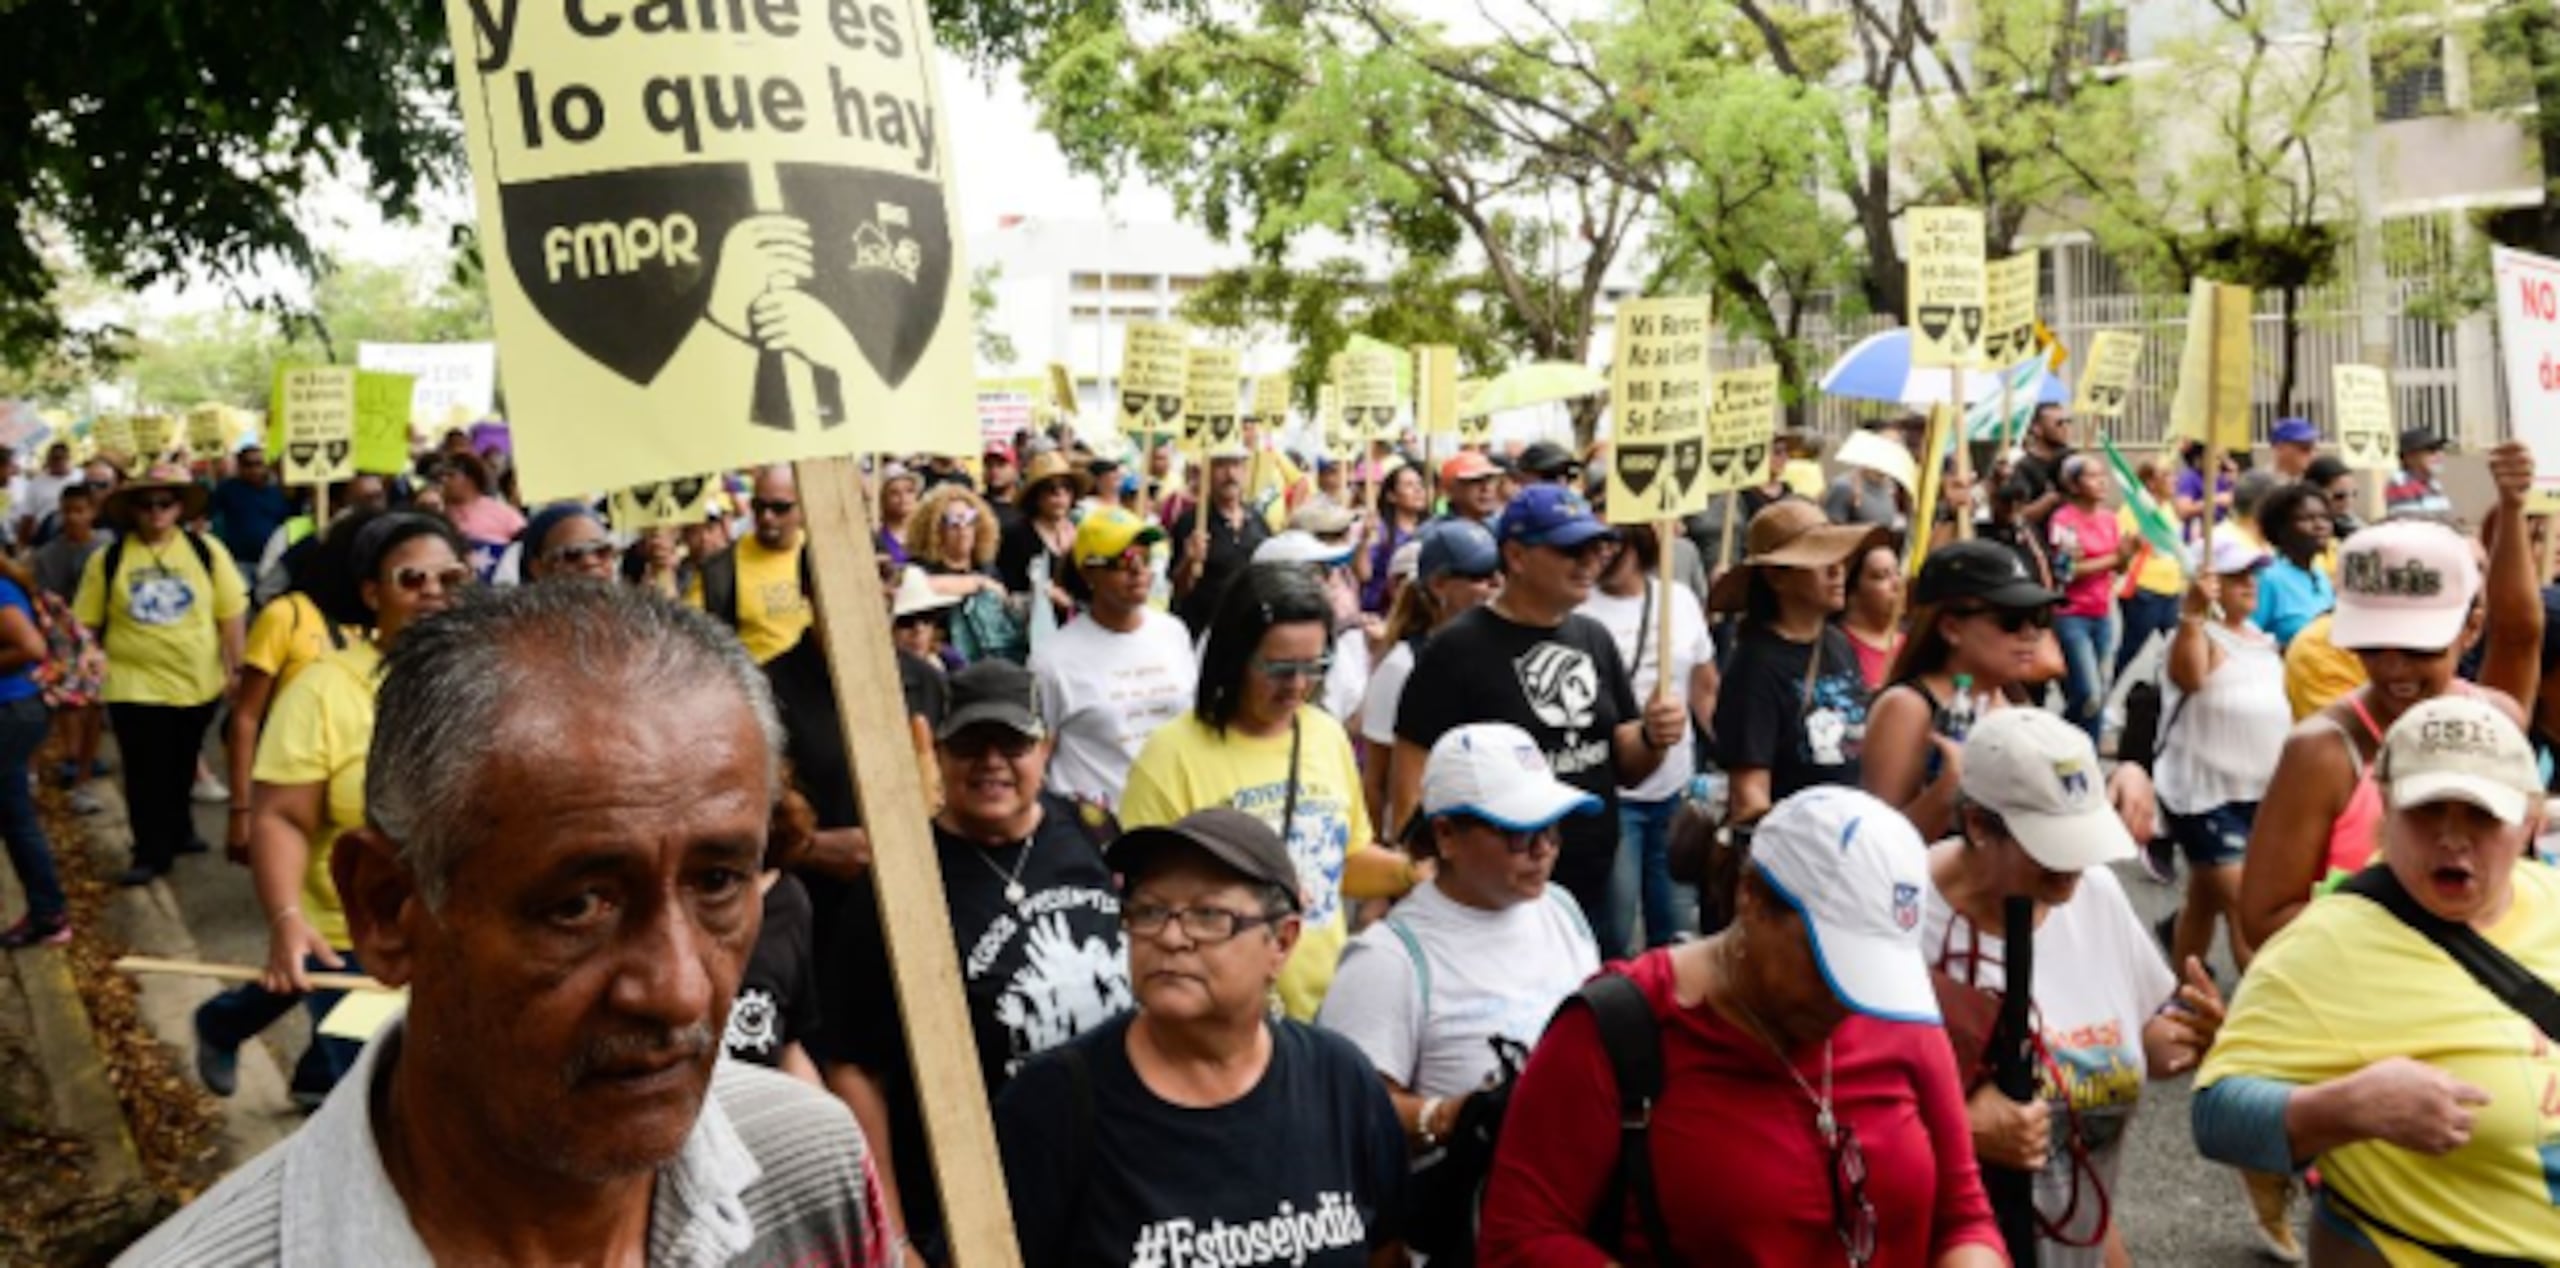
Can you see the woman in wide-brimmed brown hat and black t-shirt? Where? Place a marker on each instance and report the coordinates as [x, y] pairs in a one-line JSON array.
[[1793, 703]]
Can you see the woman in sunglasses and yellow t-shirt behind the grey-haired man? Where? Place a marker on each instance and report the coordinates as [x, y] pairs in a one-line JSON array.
[[401, 567]]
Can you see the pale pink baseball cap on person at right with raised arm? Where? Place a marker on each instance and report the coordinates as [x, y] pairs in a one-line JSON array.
[[2403, 585]]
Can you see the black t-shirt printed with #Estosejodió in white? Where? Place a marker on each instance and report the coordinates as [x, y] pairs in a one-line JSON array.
[[1307, 1169]]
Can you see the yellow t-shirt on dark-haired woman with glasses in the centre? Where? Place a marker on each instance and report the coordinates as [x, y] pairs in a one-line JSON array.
[[1187, 767]]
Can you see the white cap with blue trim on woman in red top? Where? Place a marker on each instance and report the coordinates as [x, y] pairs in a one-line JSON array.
[[1855, 870]]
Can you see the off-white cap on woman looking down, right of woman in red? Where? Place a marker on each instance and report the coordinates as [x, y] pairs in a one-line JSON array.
[[2042, 777]]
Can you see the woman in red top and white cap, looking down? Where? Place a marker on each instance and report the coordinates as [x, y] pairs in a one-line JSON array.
[[1809, 1108]]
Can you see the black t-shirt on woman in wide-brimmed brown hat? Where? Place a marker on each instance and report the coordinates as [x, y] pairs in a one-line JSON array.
[[1768, 719]]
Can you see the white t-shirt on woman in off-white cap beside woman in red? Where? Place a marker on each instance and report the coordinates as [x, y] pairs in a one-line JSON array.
[[2098, 980]]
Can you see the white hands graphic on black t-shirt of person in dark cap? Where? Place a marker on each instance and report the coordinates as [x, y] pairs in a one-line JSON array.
[[1059, 985]]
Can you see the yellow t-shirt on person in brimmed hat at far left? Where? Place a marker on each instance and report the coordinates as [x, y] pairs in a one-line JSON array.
[[165, 644]]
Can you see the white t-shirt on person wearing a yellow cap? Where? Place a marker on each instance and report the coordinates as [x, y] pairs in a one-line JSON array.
[[1105, 693]]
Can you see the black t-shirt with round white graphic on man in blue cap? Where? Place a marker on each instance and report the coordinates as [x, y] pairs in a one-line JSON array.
[[1565, 688]]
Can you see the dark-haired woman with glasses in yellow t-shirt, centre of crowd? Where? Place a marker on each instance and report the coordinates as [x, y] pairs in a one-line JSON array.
[[1253, 742]]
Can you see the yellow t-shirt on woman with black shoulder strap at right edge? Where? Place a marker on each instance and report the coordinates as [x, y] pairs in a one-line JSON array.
[[2344, 988]]
